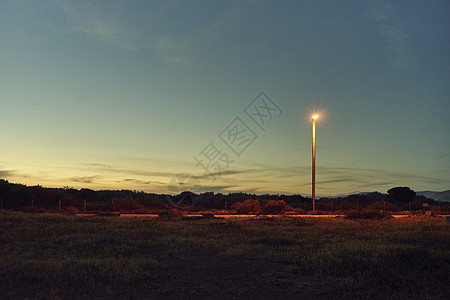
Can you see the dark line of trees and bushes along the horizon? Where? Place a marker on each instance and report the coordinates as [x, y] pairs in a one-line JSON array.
[[21, 197]]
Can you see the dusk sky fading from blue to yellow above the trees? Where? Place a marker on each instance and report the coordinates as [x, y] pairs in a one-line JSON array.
[[162, 96]]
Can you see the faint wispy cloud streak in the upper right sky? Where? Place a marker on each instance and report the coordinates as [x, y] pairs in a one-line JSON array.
[[397, 39]]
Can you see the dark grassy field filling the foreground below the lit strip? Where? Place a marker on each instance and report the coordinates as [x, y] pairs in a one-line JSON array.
[[49, 256]]
